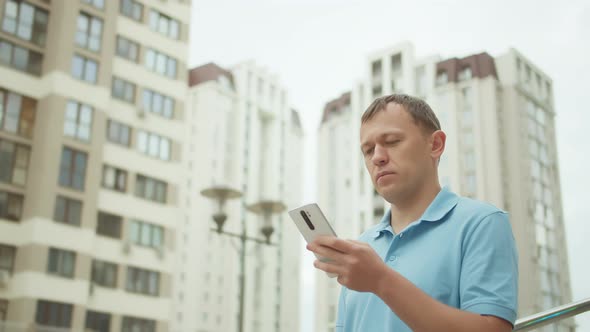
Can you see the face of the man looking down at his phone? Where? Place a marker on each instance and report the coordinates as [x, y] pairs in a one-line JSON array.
[[397, 153]]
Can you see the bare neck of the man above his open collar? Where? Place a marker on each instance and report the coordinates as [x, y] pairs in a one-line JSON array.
[[407, 210]]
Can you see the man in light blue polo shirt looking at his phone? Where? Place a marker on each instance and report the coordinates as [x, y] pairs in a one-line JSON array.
[[437, 261]]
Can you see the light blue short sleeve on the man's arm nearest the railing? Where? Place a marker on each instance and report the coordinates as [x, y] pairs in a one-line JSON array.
[[489, 270]]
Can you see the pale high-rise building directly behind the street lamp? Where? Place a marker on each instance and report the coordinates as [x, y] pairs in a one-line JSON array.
[[243, 135]]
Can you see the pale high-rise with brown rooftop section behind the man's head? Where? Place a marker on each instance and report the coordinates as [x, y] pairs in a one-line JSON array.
[[499, 118]]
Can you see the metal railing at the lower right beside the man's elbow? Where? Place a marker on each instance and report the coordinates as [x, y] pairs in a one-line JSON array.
[[552, 315]]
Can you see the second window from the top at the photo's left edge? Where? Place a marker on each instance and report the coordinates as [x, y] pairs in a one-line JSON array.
[[20, 58]]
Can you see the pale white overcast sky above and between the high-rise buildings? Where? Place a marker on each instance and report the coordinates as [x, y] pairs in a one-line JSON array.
[[318, 48]]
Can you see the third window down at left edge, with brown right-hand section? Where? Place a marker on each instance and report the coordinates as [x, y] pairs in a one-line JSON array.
[[17, 113]]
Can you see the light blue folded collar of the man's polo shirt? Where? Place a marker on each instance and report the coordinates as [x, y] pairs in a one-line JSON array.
[[442, 204]]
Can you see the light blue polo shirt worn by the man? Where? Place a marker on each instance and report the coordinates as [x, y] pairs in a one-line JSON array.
[[461, 252]]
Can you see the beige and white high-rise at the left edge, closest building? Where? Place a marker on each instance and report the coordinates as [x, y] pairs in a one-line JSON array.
[[91, 128]]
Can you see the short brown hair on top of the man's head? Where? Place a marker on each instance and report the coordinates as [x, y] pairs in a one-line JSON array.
[[420, 111]]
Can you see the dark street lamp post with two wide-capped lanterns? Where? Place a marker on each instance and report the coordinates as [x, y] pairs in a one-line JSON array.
[[265, 208]]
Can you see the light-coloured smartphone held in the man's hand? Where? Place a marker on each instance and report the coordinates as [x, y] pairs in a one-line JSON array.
[[311, 223]]
